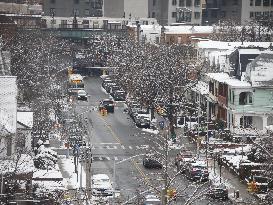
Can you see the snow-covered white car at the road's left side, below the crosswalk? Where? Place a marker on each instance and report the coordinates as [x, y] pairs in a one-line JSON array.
[[101, 185]]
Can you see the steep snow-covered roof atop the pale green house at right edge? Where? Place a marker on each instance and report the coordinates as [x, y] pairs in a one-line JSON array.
[[260, 71]]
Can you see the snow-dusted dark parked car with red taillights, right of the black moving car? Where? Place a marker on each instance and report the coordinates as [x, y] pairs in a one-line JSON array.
[[197, 171]]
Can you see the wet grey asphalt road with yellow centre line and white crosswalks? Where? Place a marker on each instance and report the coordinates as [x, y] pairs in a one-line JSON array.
[[117, 142]]
